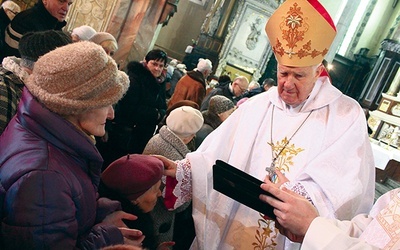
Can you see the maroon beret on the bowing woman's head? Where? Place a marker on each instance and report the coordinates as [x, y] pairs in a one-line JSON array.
[[133, 175]]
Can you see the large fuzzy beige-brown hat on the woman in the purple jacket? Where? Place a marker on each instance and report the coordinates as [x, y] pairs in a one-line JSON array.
[[76, 78]]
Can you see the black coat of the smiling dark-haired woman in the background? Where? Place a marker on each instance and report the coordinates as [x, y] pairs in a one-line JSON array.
[[139, 111]]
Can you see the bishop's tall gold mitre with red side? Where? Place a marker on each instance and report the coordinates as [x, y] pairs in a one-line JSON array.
[[300, 33]]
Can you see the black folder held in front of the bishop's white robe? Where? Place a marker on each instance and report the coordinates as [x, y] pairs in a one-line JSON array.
[[241, 187]]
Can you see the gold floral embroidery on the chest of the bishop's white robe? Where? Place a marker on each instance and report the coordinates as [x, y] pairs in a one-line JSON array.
[[285, 159]]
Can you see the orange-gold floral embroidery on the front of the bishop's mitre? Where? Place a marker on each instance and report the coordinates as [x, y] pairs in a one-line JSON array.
[[293, 28]]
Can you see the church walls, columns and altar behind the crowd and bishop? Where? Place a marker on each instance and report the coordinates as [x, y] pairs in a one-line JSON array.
[[363, 61]]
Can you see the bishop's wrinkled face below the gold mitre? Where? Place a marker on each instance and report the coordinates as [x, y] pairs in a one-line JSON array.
[[296, 83]]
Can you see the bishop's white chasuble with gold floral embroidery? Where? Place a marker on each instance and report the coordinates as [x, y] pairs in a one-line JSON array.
[[329, 156]]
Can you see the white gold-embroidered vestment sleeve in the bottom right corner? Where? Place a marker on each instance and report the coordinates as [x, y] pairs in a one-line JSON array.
[[378, 230]]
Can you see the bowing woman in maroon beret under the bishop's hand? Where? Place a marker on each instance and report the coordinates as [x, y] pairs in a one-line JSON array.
[[135, 181]]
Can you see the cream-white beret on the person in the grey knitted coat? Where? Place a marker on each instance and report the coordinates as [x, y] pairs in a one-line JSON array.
[[185, 121]]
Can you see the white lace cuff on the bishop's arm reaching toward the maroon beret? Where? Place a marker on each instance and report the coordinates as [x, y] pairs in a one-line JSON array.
[[183, 190]]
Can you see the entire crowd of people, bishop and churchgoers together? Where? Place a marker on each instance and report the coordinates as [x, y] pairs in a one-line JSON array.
[[95, 157]]
